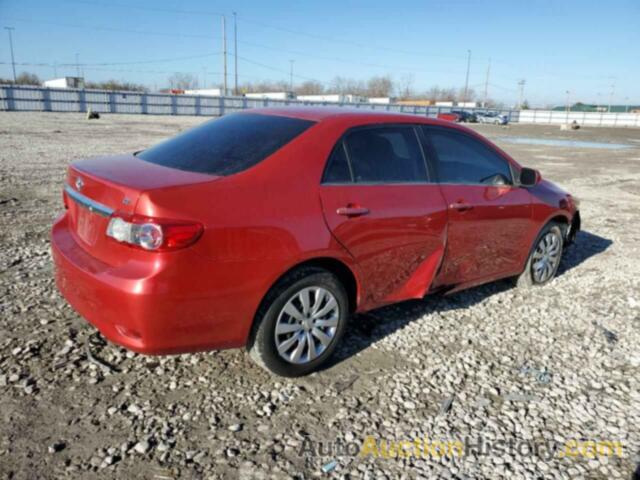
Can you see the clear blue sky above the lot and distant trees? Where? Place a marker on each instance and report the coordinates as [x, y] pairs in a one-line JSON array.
[[589, 48]]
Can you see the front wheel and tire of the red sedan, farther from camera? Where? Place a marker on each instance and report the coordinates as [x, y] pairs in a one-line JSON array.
[[544, 258]]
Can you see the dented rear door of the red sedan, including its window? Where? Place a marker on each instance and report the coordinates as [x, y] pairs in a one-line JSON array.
[[379, 203]]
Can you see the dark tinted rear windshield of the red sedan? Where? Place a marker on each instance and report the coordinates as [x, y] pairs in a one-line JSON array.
[[227, 145]]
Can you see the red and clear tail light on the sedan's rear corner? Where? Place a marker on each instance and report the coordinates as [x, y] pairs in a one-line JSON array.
[[153, 234]]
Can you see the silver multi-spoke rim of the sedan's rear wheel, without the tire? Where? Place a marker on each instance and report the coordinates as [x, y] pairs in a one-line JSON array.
[[307, 325]]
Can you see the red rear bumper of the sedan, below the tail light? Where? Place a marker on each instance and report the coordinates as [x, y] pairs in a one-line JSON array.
[[162, 306]]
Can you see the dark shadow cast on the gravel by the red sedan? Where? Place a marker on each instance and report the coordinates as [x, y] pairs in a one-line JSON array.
[[368, 328]]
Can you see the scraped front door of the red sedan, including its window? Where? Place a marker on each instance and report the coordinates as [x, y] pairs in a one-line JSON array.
[[489, 214]]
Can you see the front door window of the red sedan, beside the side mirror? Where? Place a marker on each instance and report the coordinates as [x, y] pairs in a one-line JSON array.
[[462, 159]]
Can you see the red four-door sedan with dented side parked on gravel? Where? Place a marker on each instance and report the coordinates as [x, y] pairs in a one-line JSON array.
[[269, 228]]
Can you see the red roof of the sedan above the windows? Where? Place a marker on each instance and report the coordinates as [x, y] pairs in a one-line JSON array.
[[354, 115]]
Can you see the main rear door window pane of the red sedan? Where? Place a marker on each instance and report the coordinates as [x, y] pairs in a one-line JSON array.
[[386, 155]]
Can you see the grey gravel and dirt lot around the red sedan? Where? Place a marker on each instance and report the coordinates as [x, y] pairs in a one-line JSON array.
[[494, 364]]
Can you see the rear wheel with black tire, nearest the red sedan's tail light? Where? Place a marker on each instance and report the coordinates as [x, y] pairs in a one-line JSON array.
[[300, 323]]
